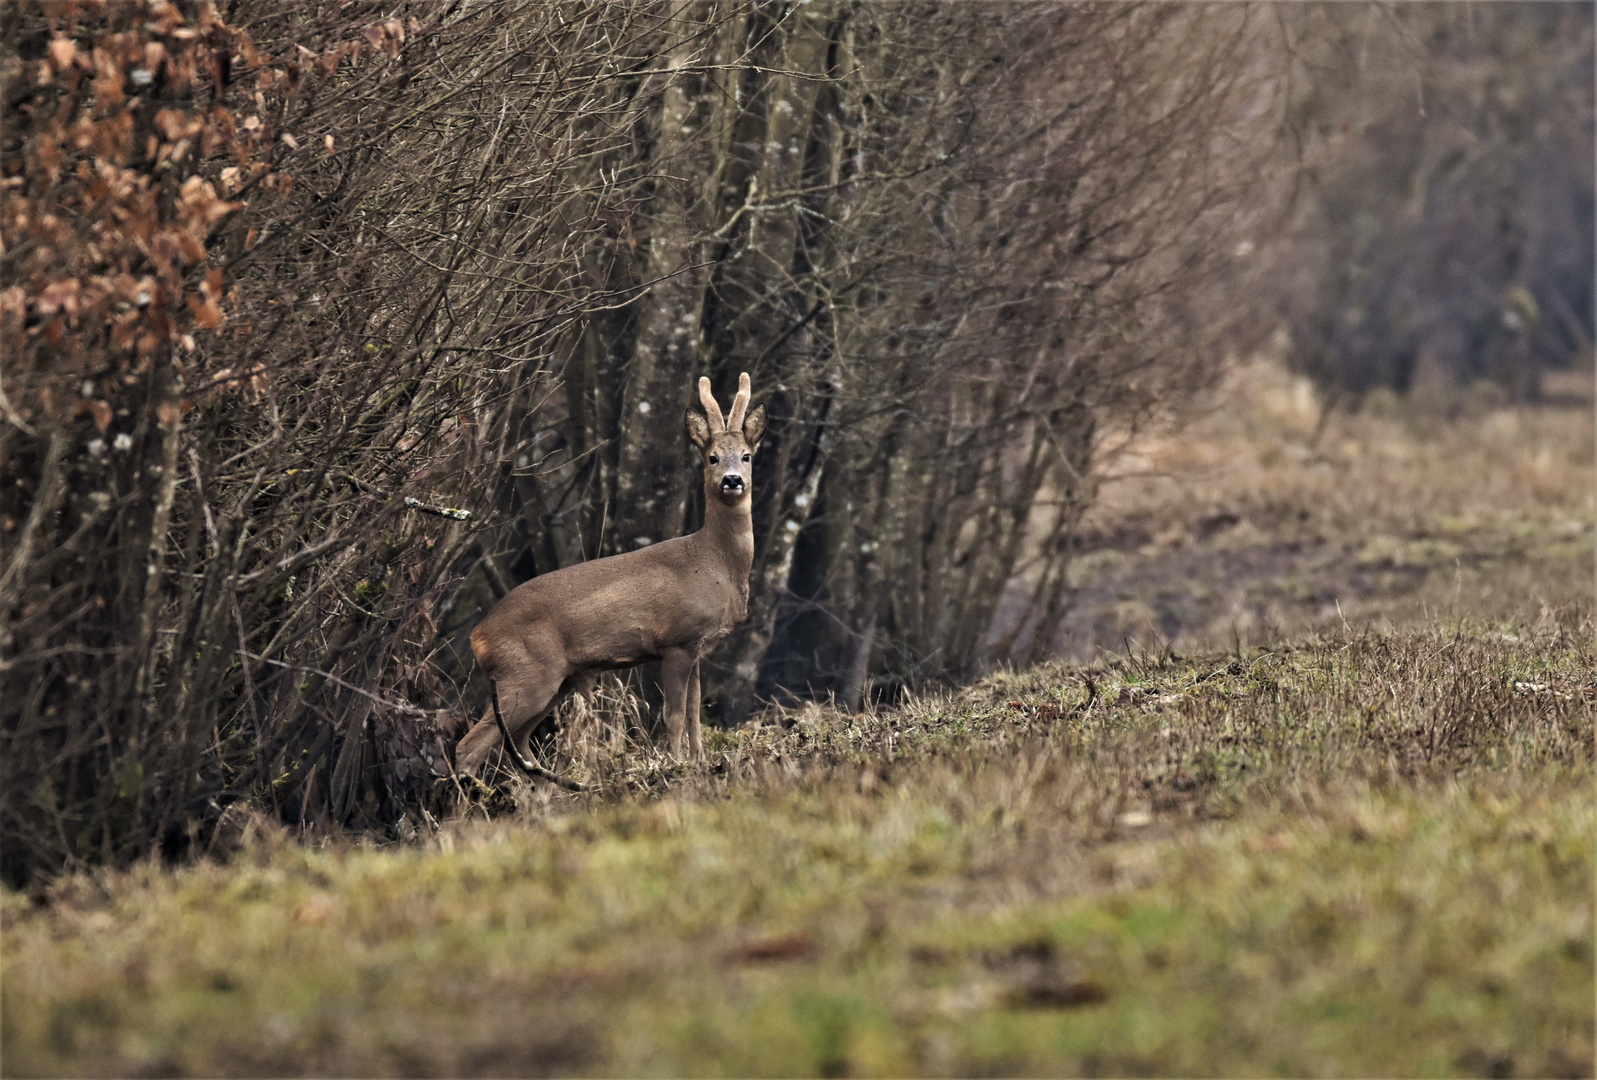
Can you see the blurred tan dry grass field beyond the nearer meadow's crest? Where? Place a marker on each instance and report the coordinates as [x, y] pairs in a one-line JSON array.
[[1243, 528]]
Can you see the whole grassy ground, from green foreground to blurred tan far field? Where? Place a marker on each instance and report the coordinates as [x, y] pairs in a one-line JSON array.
[[1312, 798]]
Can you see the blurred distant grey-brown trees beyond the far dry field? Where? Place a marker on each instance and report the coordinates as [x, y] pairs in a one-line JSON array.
[[1441, 215]]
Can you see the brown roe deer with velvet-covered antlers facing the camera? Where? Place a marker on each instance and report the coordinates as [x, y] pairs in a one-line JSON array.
[[670, 602]]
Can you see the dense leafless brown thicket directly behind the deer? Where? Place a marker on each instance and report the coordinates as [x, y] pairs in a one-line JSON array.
[[327, 325]]
